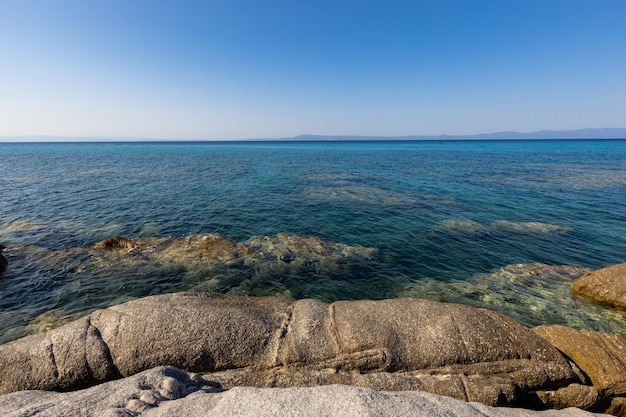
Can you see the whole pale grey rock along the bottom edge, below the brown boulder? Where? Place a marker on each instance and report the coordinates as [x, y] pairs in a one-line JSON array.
[[167, 391]]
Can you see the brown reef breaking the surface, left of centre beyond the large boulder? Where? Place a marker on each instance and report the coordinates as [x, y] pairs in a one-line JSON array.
[[212, 254]]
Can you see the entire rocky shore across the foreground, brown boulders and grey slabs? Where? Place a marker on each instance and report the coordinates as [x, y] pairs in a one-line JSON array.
[[229, 342]]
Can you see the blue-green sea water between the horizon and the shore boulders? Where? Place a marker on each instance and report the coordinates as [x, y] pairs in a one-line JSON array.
[[447, 220]]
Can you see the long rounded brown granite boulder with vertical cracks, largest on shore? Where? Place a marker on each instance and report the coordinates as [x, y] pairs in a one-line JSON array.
[[467, 353]]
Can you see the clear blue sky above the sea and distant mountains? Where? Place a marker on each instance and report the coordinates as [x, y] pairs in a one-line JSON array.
[[258, 69]]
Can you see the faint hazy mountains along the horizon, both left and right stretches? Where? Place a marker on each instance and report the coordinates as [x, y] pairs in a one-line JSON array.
[[607, 133]]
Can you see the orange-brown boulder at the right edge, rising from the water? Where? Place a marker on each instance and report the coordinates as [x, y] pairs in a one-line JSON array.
[[606, 286]]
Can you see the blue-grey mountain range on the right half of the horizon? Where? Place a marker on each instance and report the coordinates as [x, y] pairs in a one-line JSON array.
[[608, 133]]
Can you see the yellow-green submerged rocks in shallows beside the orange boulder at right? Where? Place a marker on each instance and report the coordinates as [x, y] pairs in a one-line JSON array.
[[533, 294]]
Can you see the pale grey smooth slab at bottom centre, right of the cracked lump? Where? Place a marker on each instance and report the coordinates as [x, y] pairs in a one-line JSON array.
[[339, 401]]
